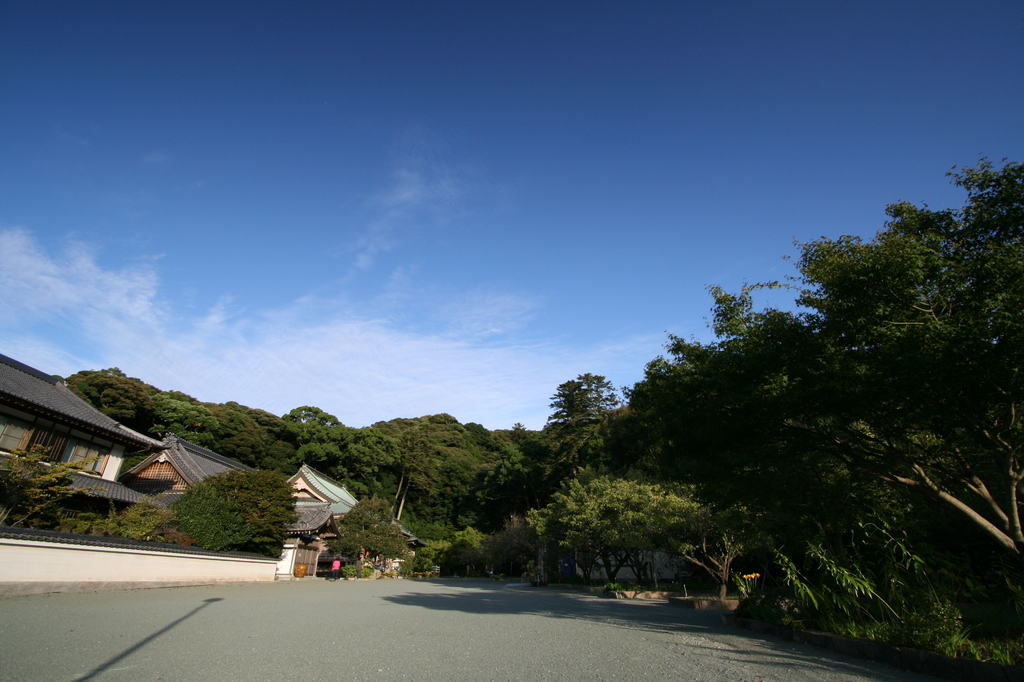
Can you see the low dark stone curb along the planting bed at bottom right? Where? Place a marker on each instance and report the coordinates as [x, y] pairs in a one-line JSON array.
[[926, 663]]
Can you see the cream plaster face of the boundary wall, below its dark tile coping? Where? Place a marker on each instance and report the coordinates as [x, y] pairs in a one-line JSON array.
[[34, 562]]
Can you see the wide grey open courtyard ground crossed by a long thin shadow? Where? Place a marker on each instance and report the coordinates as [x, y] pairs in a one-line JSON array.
[[393, 630]]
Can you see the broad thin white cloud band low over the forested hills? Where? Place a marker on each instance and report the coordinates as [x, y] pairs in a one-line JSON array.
[[65, 313]]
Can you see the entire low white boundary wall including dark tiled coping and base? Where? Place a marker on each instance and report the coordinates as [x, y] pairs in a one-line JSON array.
[[35, 562]]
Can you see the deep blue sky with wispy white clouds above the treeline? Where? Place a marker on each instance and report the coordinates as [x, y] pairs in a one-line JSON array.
[[395, 209]]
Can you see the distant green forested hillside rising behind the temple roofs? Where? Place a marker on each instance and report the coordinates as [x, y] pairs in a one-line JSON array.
[[441, 475]]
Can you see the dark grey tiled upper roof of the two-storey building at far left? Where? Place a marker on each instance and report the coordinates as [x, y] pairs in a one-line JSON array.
[[41, 394]]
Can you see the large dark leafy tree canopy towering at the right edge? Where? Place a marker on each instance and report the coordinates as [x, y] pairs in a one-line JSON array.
[[903, 364]]
